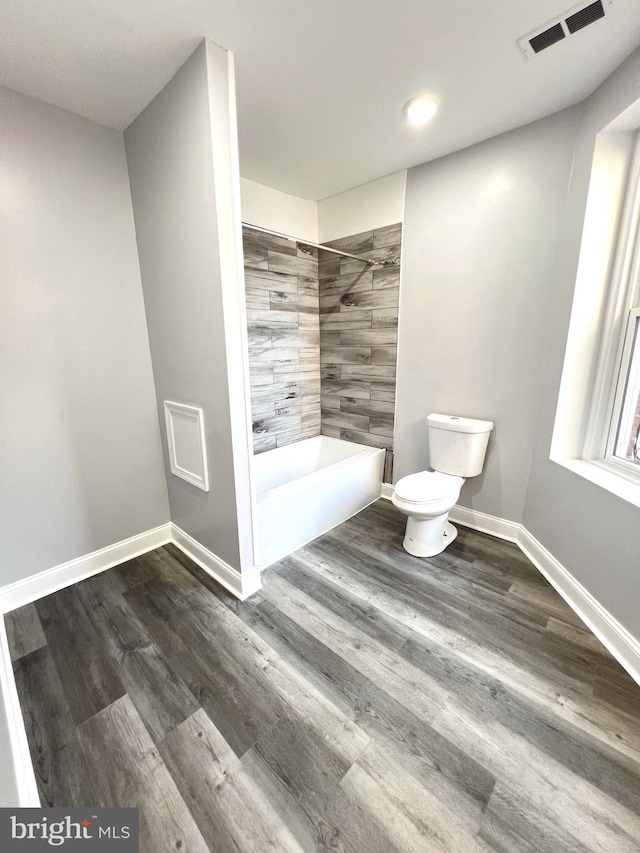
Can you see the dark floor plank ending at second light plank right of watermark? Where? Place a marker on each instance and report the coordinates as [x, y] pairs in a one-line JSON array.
[[158, 693]]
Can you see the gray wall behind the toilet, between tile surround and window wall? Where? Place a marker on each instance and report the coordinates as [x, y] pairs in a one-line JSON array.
[[479, 251]]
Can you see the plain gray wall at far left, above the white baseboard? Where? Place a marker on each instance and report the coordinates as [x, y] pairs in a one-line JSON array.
[[80, 448]]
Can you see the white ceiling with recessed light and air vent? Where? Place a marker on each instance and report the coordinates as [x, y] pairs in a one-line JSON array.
[[320, 85]]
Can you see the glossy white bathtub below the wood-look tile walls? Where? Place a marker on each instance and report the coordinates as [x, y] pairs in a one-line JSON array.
[[305, 489]]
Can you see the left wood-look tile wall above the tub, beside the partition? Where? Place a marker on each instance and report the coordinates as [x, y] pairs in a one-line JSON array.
[[281, 280]]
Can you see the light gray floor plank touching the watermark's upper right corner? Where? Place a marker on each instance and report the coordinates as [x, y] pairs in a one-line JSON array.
[[127, 770]]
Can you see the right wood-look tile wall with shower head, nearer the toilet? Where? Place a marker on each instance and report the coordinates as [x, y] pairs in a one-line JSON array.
[[358, 339]]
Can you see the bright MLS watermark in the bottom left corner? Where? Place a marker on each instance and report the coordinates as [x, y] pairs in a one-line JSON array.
[[80, 830]]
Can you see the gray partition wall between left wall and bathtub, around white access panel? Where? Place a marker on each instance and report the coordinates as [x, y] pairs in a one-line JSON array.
[[171, 150]]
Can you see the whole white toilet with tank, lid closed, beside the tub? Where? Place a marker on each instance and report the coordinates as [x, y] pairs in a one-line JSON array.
[[457, 447]]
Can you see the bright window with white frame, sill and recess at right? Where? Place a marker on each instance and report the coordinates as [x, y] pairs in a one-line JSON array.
[[597, 426]]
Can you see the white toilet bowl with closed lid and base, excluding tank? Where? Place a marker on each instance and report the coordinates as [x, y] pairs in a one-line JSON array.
[[426, 498]]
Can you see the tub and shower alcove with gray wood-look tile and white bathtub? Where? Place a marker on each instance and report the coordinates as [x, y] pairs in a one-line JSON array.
[[322, 332]]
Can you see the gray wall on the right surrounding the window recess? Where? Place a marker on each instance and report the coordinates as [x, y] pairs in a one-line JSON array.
[[592, 532]]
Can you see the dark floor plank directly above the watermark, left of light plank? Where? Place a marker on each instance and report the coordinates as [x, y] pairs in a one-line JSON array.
[[58, 761]]
